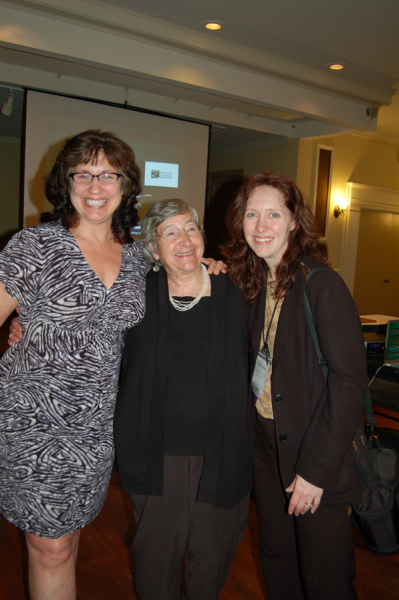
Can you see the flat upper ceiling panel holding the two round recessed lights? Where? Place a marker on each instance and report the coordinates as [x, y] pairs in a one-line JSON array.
[[361, 33]]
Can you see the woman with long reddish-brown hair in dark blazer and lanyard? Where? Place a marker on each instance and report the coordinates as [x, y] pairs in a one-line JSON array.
[[301, 426]]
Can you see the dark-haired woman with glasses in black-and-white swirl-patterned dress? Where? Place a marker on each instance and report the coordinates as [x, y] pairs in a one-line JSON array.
[[79, 283]]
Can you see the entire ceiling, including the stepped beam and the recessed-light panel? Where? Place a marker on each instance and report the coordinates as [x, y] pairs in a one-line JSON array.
[[289, 43]]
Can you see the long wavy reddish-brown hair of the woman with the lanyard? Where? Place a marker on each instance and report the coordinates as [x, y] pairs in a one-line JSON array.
[[247, 270]]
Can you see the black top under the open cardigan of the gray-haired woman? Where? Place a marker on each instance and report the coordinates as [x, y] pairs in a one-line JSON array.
[[186, 406]]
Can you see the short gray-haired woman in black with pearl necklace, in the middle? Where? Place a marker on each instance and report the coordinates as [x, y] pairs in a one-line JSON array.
[[181, 435]]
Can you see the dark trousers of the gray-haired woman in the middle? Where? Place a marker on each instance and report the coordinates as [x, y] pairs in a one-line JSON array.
[[176, 526]]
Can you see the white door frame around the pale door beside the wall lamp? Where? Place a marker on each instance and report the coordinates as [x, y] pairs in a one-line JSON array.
[[362, 197]]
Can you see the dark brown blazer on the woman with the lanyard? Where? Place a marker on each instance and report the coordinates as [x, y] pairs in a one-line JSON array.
[[316, 421]]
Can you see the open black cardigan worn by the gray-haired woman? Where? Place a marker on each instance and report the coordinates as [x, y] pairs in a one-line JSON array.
[[146, 364]]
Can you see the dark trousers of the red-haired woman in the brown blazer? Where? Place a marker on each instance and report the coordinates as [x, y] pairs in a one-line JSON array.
[[306, 557]]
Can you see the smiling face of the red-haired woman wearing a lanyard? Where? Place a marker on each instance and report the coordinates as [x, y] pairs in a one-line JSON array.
[[267, 225]]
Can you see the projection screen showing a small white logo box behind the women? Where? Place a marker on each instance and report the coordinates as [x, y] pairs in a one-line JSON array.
[[172, 154]]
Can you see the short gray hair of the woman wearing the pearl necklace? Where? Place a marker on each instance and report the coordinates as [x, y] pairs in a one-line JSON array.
[[165, 209]]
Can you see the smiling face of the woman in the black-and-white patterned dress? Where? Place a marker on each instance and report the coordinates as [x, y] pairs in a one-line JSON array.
[[95, 202]]
